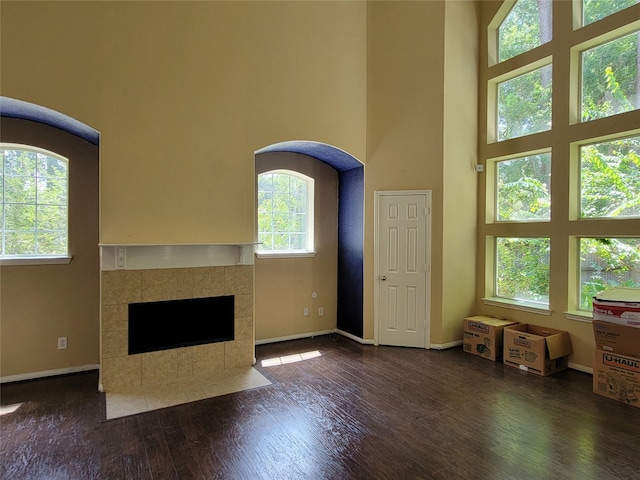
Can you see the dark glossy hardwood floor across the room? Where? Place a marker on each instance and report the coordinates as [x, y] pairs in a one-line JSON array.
[[355, 412]]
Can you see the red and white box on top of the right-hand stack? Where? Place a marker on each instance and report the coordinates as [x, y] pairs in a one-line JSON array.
[[618, 305]]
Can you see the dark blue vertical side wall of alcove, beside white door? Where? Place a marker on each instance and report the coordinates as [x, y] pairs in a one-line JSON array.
[[350, 251]]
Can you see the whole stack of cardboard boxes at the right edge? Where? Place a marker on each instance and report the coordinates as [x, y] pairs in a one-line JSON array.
[[616, 328]]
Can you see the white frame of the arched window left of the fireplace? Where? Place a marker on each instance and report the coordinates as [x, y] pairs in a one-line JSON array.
[[38, 259]]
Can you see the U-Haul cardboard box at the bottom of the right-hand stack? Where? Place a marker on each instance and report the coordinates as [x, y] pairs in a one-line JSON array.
[[617, 377]]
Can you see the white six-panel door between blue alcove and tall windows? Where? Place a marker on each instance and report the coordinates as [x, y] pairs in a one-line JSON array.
[[402, 237]]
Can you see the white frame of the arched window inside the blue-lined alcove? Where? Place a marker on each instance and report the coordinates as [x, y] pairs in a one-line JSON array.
[[309, 251]]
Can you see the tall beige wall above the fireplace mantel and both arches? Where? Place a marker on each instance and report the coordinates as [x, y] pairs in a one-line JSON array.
[[183, 93]]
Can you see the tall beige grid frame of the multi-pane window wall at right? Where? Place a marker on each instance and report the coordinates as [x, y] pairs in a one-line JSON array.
[[567, 133]]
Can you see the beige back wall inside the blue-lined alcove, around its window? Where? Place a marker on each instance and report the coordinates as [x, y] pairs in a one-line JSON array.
[[284, 286]]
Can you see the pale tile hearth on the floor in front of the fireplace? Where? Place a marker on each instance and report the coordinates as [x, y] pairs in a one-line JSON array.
[[152, 397]]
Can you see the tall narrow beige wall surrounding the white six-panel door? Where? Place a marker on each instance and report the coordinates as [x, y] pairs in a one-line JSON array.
[[422, 135]]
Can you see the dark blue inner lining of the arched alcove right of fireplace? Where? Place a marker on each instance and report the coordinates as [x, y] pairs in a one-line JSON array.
[[350, 226]]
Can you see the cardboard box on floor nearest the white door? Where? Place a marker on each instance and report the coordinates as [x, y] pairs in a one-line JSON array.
[[482, 336]]
